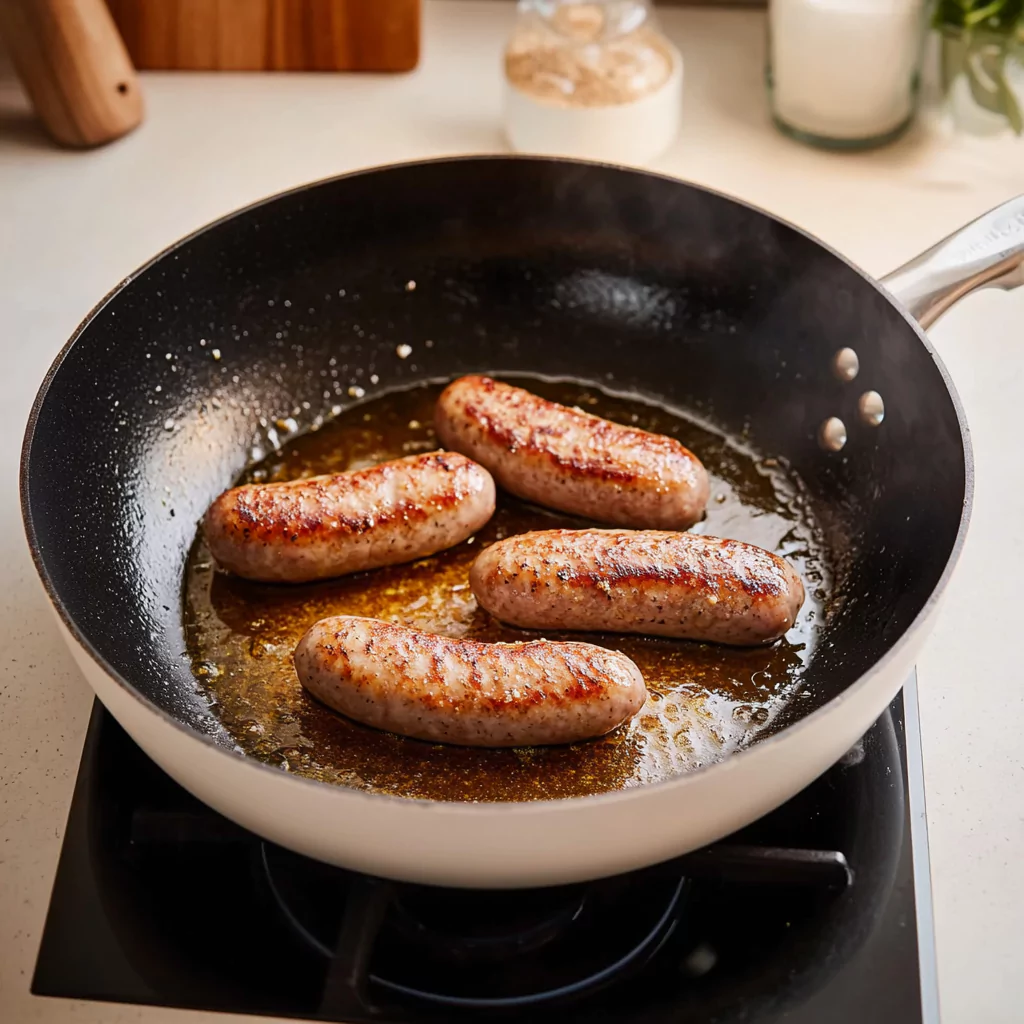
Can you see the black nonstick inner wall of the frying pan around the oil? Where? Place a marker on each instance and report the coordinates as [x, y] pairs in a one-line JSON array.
[[197, 366]]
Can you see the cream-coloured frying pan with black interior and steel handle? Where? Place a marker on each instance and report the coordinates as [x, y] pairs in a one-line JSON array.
[[702, 304]]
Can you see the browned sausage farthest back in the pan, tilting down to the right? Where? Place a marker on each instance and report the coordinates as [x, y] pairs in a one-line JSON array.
[[572, 461]]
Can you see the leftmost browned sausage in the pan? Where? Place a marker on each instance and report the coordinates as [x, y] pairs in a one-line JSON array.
[[329, 526]]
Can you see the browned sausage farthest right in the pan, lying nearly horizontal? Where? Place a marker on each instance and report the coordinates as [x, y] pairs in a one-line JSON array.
[[664, 584]]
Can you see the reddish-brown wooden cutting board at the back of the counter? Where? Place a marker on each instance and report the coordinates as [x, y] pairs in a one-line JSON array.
[[271, 35]]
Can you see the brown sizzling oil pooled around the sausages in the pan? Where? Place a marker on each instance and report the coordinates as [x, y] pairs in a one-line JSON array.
[[706, 702]]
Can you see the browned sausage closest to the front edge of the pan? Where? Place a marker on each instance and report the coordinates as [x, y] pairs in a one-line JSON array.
[[463, 692]]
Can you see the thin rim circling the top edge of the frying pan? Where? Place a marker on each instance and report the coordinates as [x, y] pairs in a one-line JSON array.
[[486, 807]]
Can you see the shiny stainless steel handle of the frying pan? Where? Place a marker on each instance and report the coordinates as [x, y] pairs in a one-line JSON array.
[[990, 252]]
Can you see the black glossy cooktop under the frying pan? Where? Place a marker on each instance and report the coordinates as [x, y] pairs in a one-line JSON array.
[[820, 912]]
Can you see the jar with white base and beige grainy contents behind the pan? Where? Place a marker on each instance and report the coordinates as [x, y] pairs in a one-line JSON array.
[[594, 79]]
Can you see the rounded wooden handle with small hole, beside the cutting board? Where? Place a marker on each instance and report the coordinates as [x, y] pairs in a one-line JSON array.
[[74, 67]]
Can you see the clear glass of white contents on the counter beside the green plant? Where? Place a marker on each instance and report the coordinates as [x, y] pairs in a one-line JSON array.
[[843, 69]]
